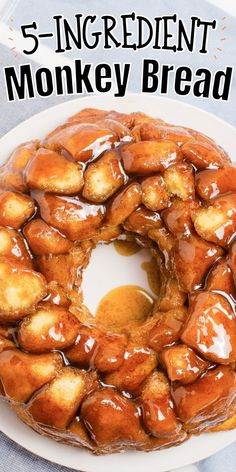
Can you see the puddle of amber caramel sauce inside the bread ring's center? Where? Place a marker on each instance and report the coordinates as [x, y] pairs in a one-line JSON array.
[[123, 305]]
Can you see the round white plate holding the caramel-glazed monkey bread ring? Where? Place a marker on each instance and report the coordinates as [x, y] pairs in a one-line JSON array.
[[196, 448]]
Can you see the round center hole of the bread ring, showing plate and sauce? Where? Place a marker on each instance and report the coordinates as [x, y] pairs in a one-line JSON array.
[[117, 289]]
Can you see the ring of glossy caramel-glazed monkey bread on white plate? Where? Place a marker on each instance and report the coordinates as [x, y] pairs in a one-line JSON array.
[[138, 374]]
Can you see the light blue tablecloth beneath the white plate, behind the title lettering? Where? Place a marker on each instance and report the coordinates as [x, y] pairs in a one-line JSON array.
[[13, 457]]
